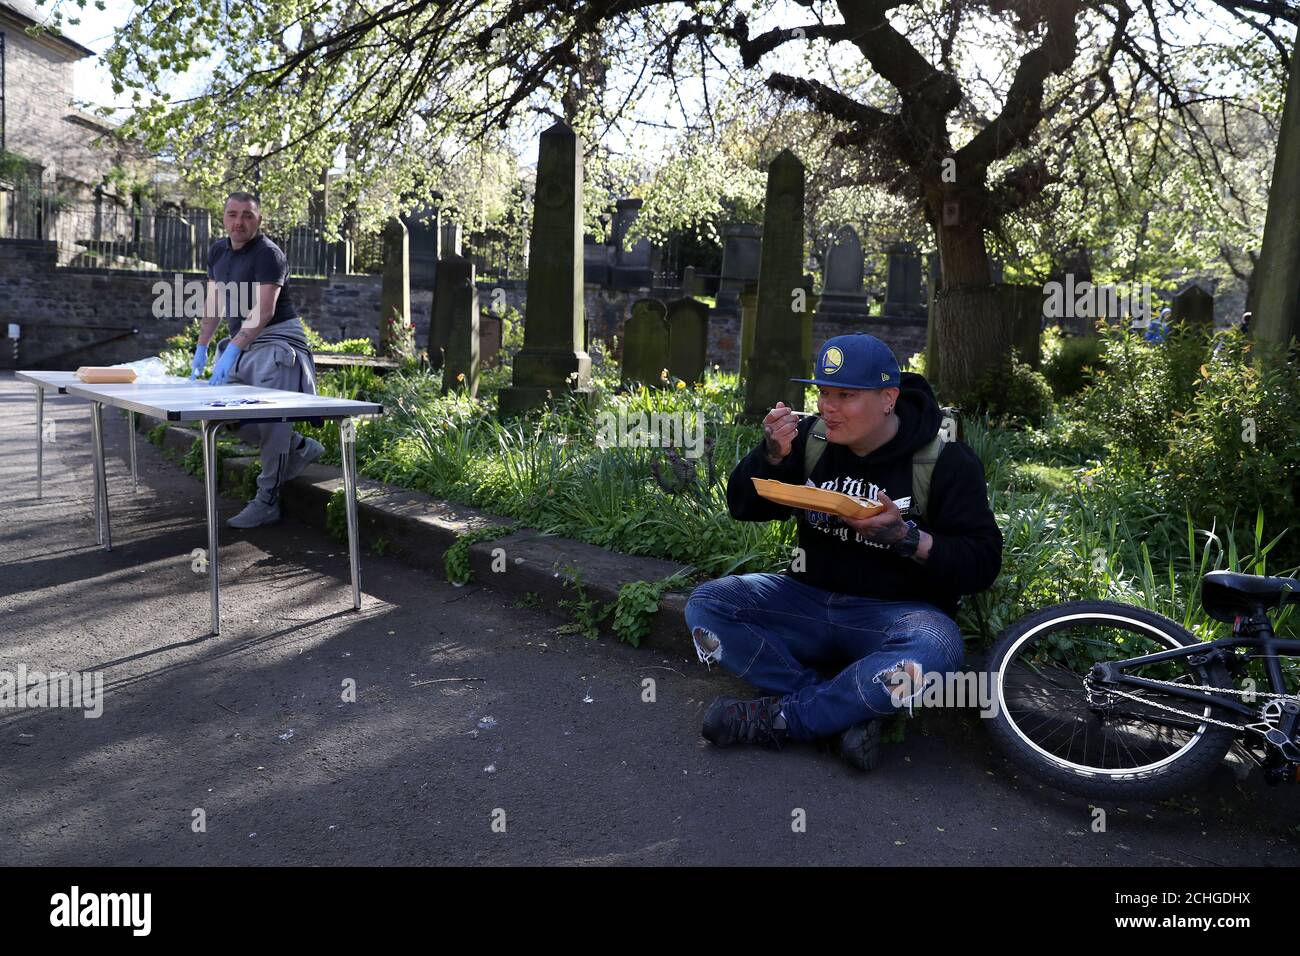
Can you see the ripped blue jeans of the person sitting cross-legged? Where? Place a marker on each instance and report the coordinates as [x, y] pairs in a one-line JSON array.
[[781, 635]]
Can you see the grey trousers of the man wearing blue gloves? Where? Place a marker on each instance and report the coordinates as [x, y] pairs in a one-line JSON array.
[[278, 360]]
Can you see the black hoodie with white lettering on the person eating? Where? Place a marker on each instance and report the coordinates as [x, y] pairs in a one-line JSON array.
[[967, 553]]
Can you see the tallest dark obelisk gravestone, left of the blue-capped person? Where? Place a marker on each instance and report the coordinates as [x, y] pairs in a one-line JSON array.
[[553, 357]]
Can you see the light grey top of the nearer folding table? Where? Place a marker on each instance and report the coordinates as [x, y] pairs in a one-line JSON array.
[[194, 401]]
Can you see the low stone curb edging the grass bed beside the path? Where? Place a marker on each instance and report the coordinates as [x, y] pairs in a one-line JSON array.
[[419, 529]]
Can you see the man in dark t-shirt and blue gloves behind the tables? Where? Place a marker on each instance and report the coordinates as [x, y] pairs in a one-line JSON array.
[[249, 285]]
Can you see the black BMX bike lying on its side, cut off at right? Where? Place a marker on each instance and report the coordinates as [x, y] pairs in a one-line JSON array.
[[1112, 702]]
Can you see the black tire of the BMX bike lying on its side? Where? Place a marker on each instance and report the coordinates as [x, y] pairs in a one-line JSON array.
[[1180, 773]]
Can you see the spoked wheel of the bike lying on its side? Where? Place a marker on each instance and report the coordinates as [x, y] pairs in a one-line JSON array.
[[1074, 732]]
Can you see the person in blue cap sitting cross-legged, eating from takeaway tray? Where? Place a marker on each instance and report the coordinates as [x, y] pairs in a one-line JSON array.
[[868, 600]]
